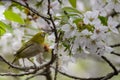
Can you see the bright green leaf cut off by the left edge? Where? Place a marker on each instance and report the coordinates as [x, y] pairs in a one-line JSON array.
[[4, 27]]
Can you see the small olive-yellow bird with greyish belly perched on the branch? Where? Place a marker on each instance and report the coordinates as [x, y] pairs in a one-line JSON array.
[[31, 48]]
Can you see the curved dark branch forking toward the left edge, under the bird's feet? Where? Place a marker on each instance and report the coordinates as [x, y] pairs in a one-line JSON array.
[[28, 68]]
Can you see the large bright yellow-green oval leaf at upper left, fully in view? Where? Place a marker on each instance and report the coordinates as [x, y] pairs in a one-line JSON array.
[[10, 15]]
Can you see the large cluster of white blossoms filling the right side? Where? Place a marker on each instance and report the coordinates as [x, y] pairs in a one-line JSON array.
[[93, 32]]
